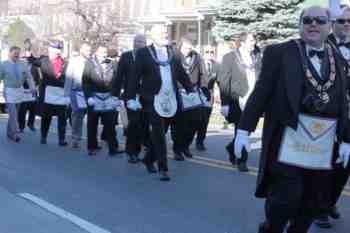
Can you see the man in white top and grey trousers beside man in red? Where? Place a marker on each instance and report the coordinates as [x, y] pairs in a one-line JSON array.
[[73, 89]]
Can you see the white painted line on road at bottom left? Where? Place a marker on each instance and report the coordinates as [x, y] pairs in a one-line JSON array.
[[89, 227]]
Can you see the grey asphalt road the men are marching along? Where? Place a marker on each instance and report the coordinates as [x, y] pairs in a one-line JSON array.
[[205, 195]]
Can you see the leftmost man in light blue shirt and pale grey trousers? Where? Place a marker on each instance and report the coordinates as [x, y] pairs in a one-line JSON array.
[[14, 72]]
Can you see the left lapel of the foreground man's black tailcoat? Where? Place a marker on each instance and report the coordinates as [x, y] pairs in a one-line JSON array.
[[294, 78]]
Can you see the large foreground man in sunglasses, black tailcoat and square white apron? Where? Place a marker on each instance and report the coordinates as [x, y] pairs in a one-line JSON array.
[[301, 93]]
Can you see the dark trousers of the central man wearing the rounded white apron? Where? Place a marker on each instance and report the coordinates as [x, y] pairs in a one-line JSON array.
[[158, 146]]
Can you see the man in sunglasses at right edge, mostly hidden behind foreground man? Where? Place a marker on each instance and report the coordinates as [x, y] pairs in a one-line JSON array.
[[341, 40]]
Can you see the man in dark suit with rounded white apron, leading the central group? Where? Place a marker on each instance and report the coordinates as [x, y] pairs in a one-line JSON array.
[[156, 73]]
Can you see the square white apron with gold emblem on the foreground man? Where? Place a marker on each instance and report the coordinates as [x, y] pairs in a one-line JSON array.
[[311, 145]]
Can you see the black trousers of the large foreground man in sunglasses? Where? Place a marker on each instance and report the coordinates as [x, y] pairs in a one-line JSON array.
[[296, 196]]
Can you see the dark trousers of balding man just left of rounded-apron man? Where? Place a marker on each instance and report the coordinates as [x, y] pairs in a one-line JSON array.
[[136, 132]]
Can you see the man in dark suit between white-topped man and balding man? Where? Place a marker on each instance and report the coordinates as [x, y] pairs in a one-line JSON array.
[[102, 105]]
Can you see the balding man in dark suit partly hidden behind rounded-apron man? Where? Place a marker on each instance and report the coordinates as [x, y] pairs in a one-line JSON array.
[[136, 119]]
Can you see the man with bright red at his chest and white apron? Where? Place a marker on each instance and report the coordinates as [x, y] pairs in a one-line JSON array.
[[51, 93]]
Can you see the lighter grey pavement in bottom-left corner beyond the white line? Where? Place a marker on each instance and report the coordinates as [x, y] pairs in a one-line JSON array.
[[21, 216]]
